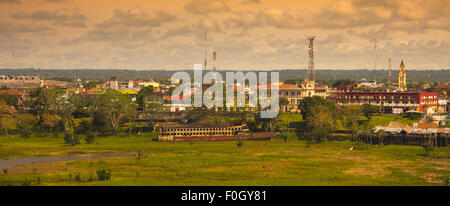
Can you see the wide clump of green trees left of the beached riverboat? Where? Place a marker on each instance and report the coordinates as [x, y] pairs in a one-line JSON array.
[[59, 113]]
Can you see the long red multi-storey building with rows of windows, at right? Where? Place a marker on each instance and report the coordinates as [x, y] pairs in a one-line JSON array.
[[388, 101]]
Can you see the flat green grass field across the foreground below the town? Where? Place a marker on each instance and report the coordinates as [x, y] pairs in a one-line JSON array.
[[224, 163]]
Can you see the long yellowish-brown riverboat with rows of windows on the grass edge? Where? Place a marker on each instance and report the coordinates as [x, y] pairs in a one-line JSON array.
[[218, 132]]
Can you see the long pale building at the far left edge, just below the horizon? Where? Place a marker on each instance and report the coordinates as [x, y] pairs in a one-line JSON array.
[[20, 82]]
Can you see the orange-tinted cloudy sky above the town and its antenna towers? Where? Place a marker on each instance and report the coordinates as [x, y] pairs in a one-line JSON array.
[[246, 34]]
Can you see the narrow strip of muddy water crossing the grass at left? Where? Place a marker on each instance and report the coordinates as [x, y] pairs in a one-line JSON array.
[[8, 163]]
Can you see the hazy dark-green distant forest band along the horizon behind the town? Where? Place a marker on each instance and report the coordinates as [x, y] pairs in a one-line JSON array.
[[322, 76]]
